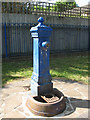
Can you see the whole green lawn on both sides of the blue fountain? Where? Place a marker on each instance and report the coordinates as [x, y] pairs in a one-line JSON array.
[[69, 67]]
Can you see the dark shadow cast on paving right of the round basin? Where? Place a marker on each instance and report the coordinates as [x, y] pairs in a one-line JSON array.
[[73, 103]]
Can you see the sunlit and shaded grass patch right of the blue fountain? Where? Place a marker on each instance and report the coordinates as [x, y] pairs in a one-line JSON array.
[[73, 68]]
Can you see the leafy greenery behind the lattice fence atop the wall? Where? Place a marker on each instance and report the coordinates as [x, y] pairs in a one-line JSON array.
[[16, 7]]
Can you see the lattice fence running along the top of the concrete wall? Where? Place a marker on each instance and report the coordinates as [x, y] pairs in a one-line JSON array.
[[44, 8]]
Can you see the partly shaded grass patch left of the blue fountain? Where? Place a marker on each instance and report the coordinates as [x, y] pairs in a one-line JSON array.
[[15, 70]]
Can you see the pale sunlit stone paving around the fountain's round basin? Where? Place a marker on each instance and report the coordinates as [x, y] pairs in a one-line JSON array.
[[14, 96]]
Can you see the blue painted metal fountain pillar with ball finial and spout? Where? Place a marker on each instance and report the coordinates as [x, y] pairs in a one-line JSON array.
[[41, 78]]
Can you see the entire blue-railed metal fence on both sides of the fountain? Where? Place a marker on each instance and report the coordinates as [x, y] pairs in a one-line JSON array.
[[17, 40]]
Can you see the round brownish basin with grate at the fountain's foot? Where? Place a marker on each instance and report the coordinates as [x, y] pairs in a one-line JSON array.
[[47, 107]]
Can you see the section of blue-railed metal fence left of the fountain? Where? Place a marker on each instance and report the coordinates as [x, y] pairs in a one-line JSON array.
[[16, 39]]
